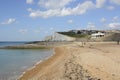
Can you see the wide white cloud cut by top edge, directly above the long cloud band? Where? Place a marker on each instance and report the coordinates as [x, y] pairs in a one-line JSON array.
[[54, 4]]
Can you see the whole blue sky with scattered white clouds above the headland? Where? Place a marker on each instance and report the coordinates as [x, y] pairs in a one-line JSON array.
[[32, 20]]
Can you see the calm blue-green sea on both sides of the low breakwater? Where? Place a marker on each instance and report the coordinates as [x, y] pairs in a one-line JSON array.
[[14, 62]]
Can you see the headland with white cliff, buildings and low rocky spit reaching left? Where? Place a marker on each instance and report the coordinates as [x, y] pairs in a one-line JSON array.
[[68, 37]]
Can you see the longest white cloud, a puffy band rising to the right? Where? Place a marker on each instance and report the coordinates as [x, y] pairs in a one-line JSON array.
[[78, 10]]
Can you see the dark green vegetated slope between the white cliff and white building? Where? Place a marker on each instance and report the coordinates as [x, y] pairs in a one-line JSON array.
[[72, 34]]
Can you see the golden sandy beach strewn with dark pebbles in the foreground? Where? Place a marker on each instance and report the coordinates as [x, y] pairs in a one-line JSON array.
[[94, 61]]
